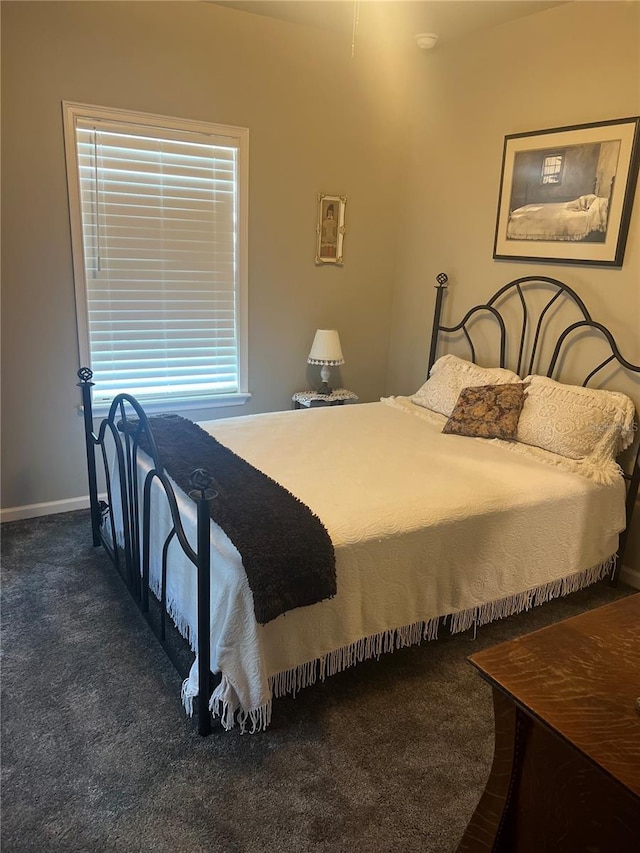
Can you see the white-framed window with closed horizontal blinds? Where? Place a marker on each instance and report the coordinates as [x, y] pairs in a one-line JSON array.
[[158, 216]]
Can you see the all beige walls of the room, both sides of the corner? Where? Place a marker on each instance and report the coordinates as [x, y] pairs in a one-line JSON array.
[[318, 121]]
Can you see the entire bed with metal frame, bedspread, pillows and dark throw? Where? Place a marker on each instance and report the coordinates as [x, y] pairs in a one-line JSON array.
[[464, 502]]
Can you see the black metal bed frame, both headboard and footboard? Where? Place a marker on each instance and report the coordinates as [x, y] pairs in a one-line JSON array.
[[127, 425]]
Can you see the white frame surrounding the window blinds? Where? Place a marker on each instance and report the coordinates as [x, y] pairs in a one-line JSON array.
[[72, 112]]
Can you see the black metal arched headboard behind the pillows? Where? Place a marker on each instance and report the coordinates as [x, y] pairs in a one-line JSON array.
[[530, 357]]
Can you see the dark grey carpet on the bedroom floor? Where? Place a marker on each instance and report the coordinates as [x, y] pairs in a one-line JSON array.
[[97, 753]]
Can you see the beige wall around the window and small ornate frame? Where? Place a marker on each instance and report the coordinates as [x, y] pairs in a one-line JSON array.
[[319, 121]]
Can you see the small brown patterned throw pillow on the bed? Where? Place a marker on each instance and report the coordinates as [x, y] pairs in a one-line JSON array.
[[487, 411]]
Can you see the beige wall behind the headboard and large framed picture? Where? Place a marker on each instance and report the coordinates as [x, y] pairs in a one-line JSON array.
[[575, 63]]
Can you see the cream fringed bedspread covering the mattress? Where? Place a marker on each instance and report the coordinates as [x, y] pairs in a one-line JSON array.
[[424, 525]]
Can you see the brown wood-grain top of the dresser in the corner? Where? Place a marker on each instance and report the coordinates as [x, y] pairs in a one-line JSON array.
[[581, 677]]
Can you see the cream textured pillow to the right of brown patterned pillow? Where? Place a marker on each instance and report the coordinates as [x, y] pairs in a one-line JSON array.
[[575, 422]]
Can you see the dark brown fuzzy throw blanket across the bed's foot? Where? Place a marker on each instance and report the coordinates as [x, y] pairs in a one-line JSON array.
[[286, 551]]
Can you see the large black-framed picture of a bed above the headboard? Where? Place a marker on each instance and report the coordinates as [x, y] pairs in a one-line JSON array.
[[566, 193]]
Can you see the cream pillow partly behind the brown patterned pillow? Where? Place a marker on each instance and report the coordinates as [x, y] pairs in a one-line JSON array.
[[449, 375]]
